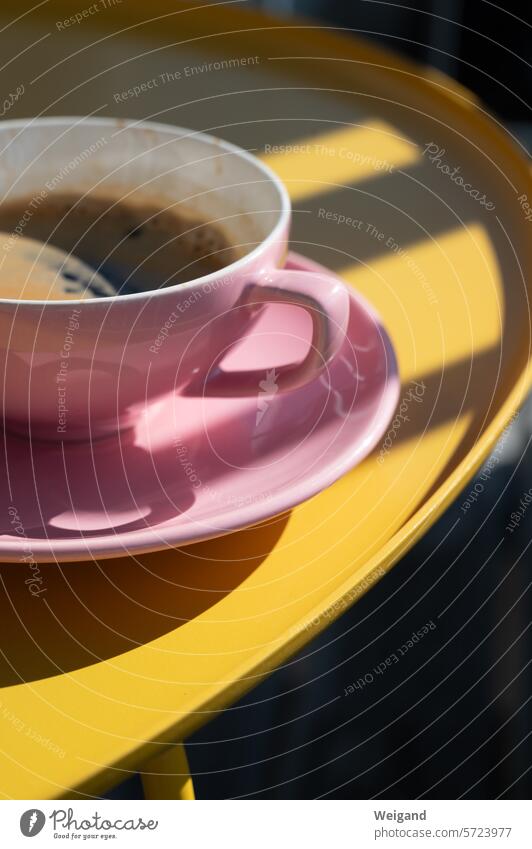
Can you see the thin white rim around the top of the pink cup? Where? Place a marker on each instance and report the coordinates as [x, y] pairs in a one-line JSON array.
[[123, 123]]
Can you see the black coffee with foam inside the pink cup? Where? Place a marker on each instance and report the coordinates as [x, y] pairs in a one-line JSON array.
[[136, 246]]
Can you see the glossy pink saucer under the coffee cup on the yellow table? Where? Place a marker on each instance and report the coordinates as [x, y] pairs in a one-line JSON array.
[[235, 462]]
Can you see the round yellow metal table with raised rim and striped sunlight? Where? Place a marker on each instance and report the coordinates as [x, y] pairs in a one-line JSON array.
[[121, 659]]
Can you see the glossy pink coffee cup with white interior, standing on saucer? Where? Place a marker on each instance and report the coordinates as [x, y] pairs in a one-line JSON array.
[[84, 369]]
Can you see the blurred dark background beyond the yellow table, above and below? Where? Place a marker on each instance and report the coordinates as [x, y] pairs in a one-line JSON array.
[[454, 718]]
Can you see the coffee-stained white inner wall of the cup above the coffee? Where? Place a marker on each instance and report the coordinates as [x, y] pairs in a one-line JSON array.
[[204, 176]]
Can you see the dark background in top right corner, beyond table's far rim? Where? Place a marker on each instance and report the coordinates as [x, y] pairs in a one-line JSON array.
[[484, 45]]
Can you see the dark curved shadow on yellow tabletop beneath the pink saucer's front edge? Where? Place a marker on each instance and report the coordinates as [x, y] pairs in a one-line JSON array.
[[95, 611]]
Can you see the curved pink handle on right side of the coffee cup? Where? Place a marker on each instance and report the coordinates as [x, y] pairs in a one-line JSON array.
[[323, 296]]
